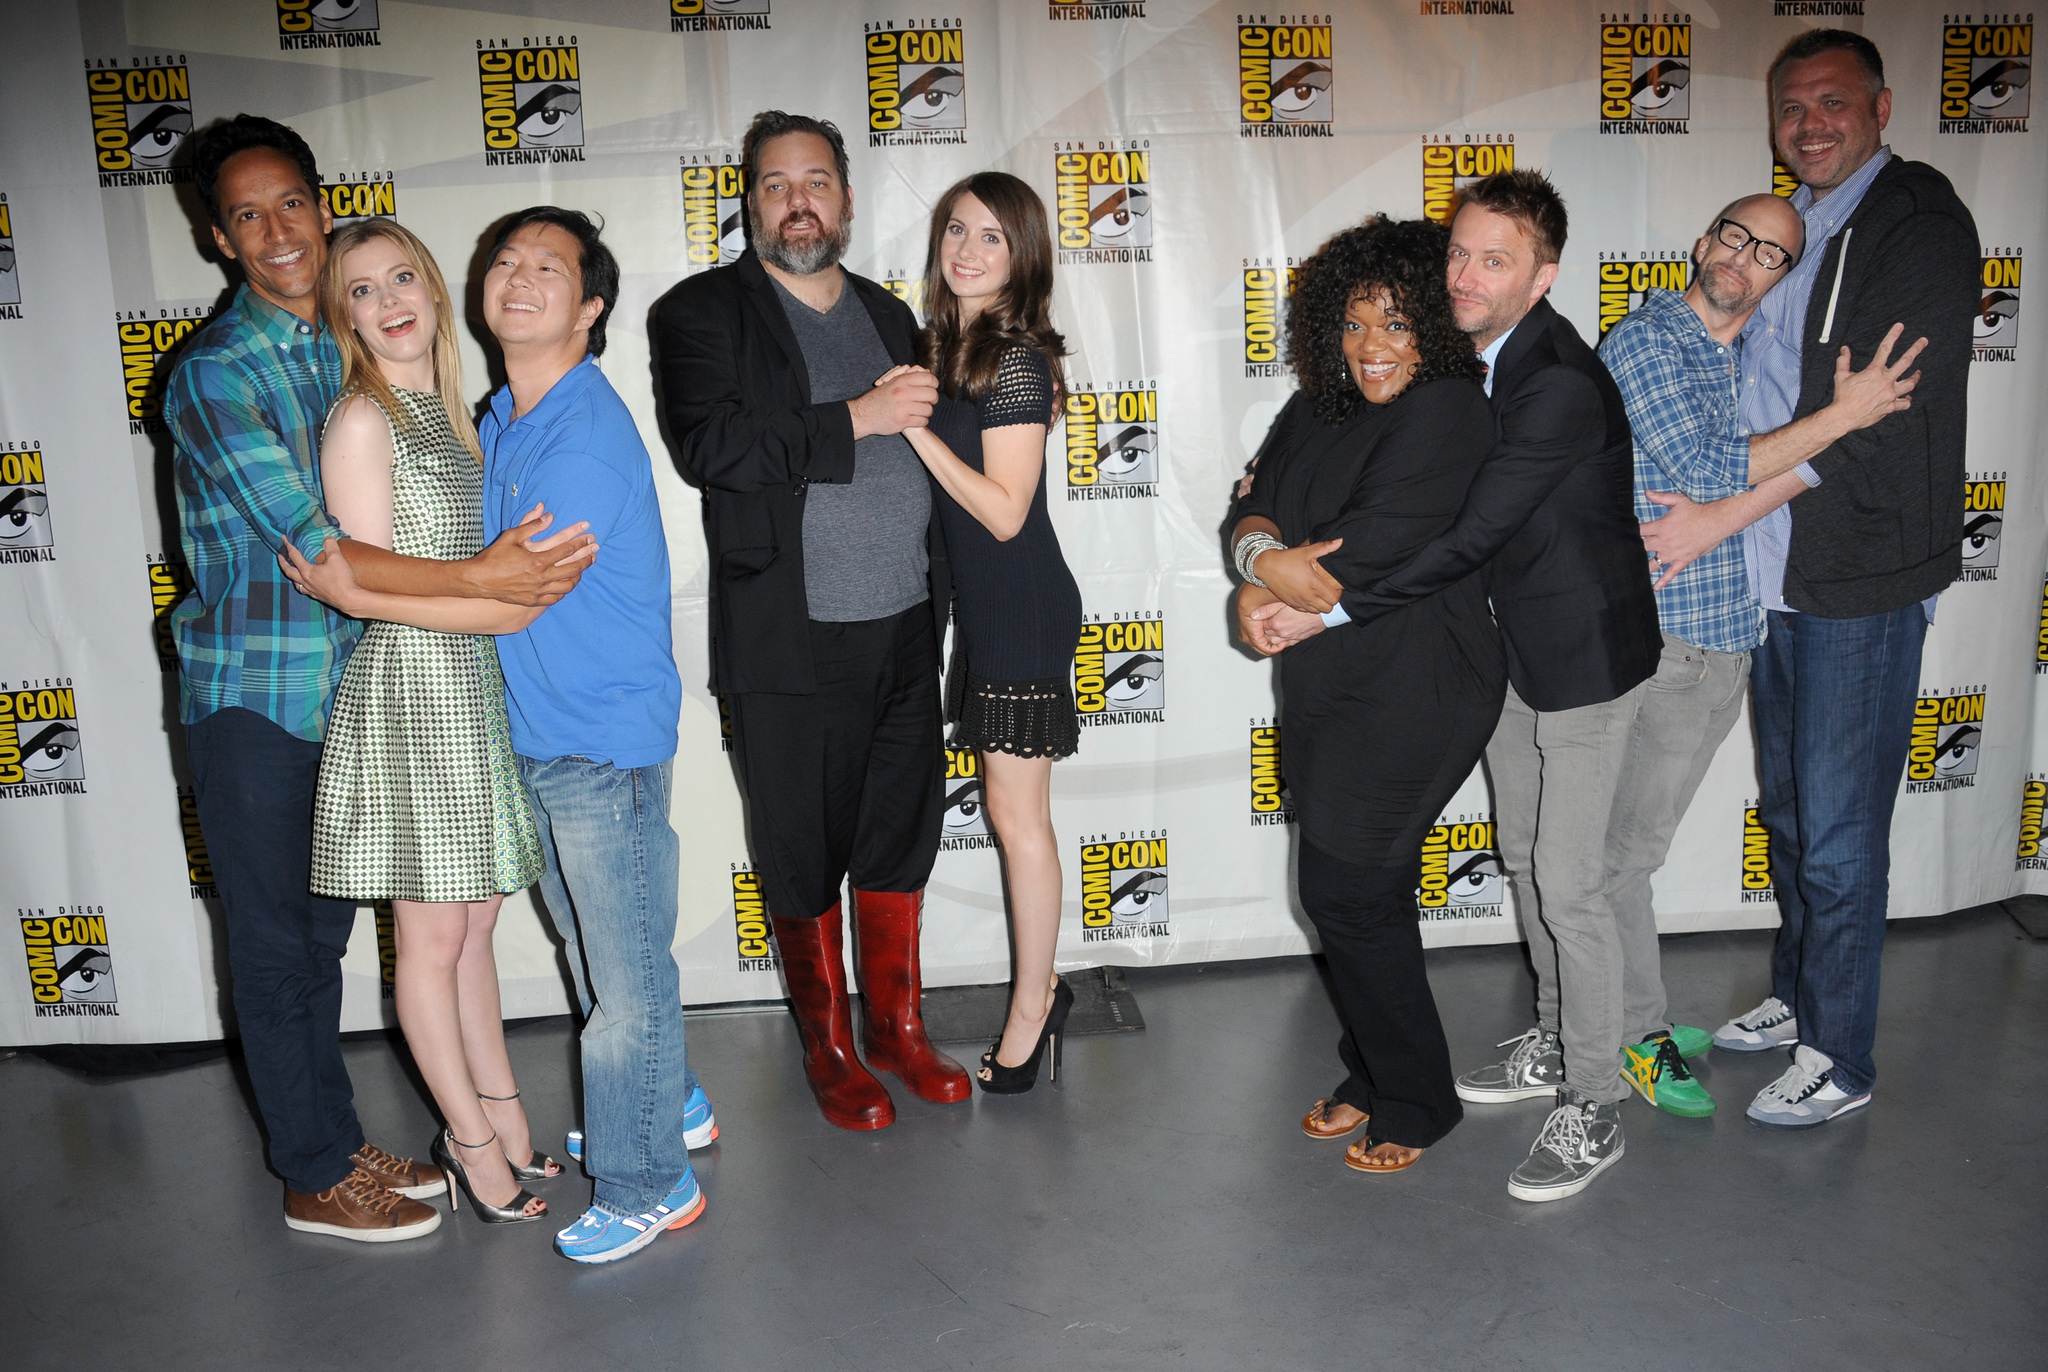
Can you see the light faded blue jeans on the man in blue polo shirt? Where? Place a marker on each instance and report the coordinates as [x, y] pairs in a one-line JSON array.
[[611, 890]]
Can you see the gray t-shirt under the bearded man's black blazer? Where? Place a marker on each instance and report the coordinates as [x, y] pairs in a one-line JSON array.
[[863, 544]]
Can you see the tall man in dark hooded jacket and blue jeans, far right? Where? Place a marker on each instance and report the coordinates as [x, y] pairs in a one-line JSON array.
[[1846, 578]]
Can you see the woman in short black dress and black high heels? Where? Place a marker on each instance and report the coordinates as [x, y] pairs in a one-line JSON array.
[[1017, 611]]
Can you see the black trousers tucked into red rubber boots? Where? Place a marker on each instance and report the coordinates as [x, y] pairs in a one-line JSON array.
[[847, 781]]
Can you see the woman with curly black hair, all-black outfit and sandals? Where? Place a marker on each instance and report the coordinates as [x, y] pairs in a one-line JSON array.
[[1383, 720]]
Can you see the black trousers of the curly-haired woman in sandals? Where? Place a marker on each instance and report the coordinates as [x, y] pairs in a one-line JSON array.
[[1394, 1041]]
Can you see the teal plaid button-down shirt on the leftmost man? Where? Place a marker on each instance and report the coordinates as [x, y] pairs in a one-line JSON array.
[[245, 411]]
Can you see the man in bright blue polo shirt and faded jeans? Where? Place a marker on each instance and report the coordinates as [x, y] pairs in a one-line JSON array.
[[593, 697]]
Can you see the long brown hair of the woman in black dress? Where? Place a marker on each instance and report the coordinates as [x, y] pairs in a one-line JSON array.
[[966, 361]]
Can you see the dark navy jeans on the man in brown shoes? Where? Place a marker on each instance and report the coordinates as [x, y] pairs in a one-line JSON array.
[[284, 943]]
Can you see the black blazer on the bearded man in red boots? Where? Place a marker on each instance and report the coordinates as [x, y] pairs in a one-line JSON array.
[[738, 404]]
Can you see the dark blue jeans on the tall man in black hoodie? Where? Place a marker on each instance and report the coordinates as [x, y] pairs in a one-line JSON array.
[[1834, 710]]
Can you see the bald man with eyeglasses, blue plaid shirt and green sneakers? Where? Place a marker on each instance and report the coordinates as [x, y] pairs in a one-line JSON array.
[[1678, 361]]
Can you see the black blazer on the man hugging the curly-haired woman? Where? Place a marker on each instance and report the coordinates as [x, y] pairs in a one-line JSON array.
[[1553, 511]]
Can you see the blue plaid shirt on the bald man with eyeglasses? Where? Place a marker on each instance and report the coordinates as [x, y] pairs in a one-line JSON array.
[[1682, 392]]
